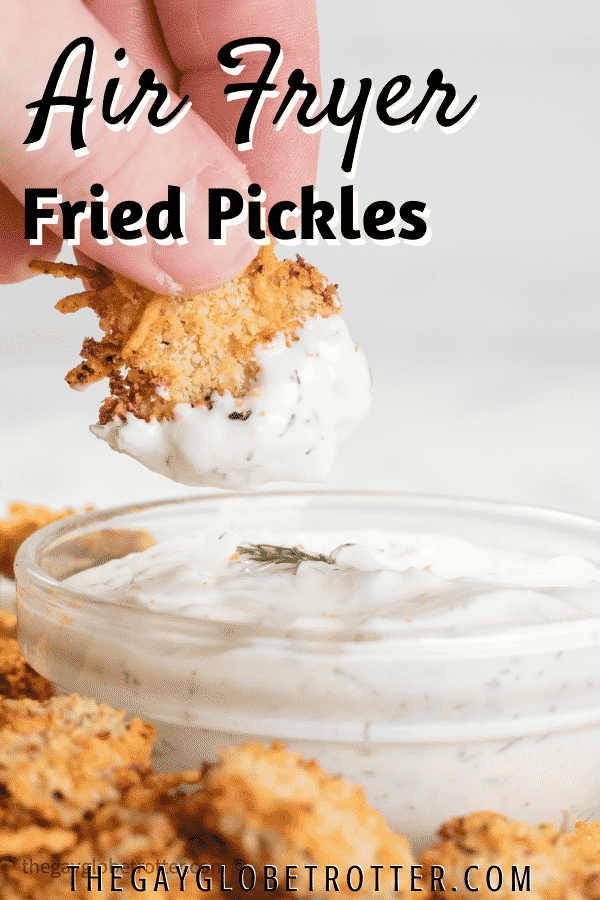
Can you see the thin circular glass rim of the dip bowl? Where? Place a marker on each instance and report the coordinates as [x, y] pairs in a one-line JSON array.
[[533, 638]]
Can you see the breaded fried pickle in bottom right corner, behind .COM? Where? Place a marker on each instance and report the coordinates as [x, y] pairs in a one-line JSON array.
[[563, 866]]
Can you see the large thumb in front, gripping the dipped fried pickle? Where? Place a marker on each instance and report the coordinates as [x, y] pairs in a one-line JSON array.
[[133, 164]]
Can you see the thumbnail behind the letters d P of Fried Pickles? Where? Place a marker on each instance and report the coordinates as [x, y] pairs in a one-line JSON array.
[[200, 265]]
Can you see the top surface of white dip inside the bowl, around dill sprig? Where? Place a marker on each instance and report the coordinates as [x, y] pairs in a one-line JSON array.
[[376, 580]]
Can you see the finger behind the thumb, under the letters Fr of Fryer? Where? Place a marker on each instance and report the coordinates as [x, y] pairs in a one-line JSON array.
[[280, 161]]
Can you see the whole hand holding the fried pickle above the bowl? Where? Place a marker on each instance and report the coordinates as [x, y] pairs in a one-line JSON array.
[[179, 40]]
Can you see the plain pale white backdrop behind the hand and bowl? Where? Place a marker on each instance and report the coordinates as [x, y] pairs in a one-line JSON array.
[[483, 343]]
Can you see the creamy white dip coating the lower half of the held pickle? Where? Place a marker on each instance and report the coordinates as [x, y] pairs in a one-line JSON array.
[[306, 399]]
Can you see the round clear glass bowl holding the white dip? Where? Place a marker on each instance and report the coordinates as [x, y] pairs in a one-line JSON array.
[[504, 718]]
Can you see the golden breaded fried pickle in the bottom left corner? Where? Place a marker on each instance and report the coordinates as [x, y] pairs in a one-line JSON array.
[[61, 760]]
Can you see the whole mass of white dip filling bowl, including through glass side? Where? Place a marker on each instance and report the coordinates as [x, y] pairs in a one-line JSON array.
[[442, 676]]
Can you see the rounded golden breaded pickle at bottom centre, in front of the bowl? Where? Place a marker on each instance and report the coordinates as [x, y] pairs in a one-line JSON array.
[[275, 807]]
